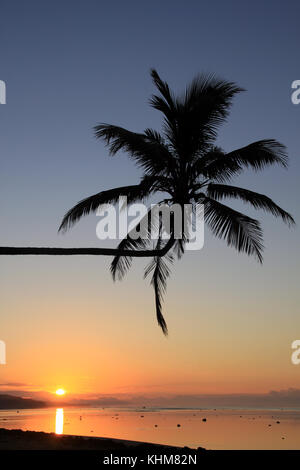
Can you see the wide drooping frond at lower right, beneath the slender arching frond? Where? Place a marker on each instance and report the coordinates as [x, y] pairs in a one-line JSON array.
[[240, 231]]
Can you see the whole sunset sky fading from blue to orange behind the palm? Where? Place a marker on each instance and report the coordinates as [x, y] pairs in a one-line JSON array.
[[70, 65]]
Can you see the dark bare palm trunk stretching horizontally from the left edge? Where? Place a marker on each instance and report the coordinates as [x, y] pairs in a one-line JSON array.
[[8, 250]]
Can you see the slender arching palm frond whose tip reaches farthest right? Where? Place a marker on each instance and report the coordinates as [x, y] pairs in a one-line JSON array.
[[259, 201]]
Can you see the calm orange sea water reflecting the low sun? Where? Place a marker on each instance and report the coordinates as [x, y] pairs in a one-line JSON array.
[[223, 428]]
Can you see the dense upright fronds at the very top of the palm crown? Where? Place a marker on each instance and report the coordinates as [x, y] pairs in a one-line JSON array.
[[191, 121]]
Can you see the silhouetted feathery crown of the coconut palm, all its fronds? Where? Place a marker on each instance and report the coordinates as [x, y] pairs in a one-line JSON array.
[[184, 163]]
